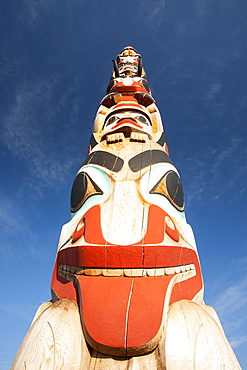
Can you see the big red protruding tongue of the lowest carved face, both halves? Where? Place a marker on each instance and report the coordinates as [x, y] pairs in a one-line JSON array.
[[122, 312]]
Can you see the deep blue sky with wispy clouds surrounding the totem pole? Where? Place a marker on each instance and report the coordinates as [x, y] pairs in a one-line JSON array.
[[55, 64]]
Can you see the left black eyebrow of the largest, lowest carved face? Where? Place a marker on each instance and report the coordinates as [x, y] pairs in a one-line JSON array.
[[105, 159]]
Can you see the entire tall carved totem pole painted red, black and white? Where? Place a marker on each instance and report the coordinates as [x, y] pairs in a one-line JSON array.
[[127, 288]]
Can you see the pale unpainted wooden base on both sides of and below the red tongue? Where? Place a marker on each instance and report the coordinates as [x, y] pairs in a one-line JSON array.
[[192, 339]]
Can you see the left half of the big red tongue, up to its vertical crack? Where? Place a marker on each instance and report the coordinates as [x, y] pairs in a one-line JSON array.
[[104, 308]]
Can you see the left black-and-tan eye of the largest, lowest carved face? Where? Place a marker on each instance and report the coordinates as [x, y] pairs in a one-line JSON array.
[[83, 188]]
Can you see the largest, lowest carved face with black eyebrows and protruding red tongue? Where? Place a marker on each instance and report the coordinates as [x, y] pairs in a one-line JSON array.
[[128, 237]]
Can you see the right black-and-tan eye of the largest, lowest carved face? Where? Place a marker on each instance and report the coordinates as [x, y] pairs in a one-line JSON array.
[[171, 187]]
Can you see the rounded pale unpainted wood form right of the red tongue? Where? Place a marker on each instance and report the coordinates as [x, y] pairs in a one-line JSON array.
[[194, 340]]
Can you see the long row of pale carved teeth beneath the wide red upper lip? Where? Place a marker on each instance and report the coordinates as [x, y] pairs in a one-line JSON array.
[[68, 271]]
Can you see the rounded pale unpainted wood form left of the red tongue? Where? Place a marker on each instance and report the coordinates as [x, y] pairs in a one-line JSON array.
[[54, 340]]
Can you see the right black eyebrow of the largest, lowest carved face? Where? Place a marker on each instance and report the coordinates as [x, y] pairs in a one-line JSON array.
[[148, 158]]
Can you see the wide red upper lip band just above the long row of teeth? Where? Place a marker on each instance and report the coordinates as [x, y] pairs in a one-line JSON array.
[[132, 256]]
